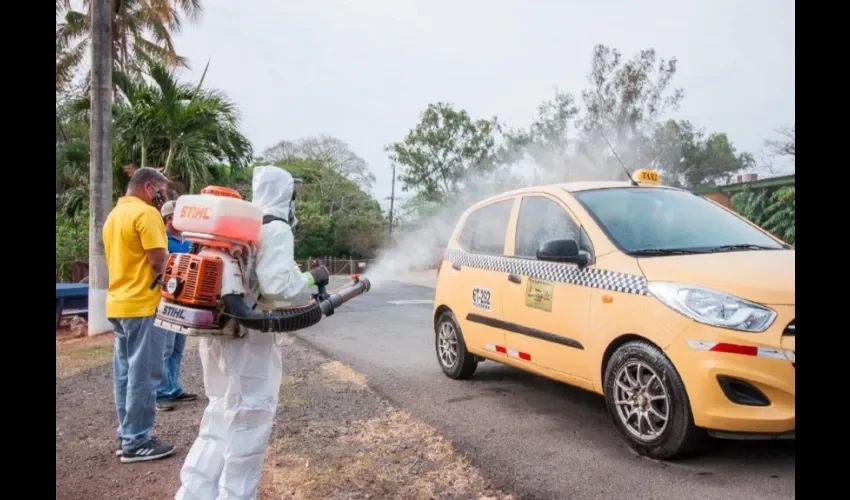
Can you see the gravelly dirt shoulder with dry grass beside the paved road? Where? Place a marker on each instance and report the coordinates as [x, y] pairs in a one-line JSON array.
[[334, 438]]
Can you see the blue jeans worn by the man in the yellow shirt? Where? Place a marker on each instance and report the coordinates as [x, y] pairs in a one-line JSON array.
[[137, 370]]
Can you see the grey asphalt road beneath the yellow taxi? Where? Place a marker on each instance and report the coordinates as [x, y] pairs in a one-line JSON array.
[[534, 437]]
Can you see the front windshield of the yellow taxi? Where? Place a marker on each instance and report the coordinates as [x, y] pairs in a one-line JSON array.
[[656, 221]]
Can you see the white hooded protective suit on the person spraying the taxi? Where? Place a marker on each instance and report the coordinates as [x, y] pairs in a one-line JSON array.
[[242, 376]]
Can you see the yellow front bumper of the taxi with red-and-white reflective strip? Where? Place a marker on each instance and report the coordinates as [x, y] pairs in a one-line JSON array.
[[736, 382]]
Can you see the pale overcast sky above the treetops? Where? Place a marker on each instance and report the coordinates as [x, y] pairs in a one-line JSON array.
[[364, 70]]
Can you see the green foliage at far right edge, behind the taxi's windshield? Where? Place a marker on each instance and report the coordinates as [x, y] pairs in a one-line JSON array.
[[774, 211]]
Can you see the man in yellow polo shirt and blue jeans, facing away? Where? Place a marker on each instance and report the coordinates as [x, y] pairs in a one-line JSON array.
[[135, 247]]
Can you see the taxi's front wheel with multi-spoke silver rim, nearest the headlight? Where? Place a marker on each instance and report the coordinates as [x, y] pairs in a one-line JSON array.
[[648, 402]]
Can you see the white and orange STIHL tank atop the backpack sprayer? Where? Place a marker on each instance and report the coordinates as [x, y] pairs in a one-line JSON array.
[[219, 211]]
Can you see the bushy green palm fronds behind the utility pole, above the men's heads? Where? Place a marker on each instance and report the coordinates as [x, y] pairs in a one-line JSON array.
[[189, 131]]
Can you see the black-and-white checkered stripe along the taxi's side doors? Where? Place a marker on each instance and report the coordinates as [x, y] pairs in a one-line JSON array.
[[552, 271]]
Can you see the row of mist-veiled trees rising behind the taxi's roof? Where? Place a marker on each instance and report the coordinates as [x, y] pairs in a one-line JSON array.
[[571, 139]]
